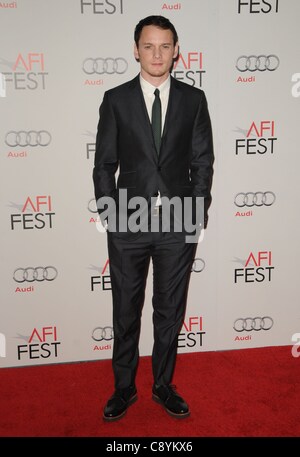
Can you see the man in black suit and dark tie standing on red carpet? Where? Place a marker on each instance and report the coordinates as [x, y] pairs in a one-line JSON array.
[[176, 163]]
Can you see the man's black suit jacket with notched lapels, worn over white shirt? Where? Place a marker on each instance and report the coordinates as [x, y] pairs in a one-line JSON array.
[[184, 165]]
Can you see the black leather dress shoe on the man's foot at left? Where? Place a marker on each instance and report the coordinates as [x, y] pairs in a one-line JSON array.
[[118, 403]]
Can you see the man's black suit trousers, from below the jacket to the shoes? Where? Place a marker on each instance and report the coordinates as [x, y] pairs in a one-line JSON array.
[[172, 260]]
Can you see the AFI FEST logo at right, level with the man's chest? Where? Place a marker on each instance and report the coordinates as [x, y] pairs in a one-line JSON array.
[[260, 139]]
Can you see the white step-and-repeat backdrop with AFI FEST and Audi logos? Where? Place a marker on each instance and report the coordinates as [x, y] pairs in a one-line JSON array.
[[57, 58]]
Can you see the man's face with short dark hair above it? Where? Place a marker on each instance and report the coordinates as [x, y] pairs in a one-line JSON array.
[[155, 52]]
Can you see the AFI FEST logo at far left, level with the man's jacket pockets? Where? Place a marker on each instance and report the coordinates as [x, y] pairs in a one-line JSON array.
[[36, 213]]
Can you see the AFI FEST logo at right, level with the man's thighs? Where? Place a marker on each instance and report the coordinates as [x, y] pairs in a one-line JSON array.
[[257, 268]]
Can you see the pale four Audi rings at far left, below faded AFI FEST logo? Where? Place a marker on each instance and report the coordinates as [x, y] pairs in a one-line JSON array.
[[30, 138]]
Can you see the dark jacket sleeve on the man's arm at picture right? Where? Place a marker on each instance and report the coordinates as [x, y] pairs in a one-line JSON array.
[[201, 167]]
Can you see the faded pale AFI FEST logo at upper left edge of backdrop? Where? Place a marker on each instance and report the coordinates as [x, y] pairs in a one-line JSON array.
[[27, 72]]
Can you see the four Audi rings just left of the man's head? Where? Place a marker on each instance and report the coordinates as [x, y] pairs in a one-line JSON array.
[[108, 66]]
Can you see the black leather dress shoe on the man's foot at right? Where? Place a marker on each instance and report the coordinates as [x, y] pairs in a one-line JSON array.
[[170, 400]]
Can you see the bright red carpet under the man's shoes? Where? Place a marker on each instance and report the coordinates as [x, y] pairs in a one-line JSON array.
[[241, 393]]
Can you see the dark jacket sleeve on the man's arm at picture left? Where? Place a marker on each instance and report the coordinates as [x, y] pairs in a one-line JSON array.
[[106, 155]]
